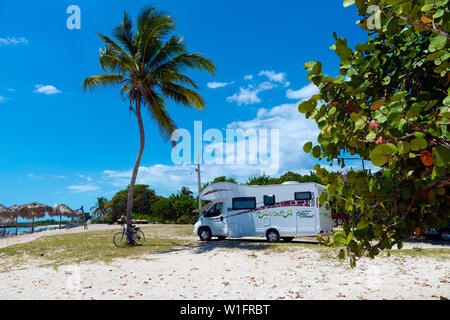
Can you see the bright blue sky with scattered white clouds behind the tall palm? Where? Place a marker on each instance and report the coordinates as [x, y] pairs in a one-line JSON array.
[[59, 145]]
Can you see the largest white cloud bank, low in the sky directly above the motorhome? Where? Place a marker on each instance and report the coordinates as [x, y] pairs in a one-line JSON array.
[[294, 131]]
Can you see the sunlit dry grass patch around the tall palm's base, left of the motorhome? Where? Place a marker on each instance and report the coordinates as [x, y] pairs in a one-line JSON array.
[[90, 247]]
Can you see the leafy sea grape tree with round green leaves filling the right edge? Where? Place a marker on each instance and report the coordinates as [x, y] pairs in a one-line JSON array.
[[389, 105]]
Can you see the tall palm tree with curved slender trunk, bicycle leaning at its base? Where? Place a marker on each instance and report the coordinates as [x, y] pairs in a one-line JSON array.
[[149, 67]]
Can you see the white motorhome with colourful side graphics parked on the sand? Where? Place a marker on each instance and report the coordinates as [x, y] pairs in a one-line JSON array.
[[274, 211]]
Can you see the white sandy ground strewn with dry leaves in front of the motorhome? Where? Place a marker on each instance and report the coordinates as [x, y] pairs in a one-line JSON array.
[[214, 272]]
